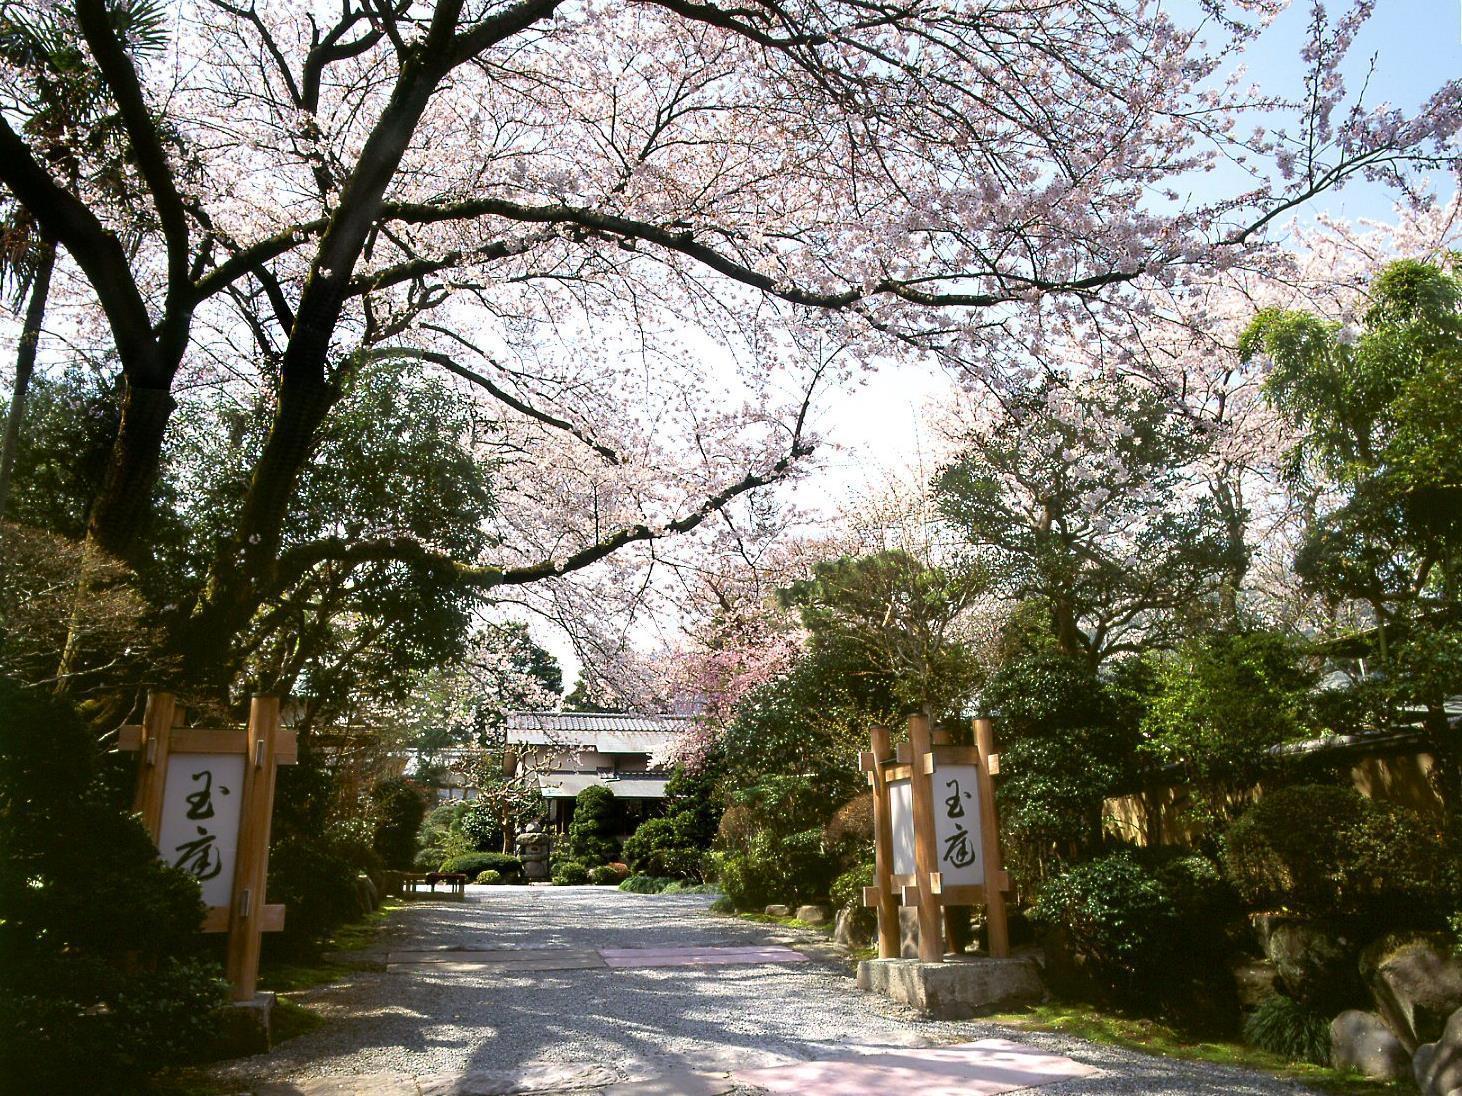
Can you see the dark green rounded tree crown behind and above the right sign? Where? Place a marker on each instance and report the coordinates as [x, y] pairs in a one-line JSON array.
[[1081, 499]]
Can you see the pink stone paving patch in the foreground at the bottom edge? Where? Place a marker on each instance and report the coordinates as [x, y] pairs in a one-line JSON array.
[[980, 1069]]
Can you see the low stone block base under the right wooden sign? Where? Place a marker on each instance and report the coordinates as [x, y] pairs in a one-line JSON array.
[[958, 989]]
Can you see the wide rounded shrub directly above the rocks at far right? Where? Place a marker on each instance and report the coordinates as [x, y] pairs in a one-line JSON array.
[[1321, 850]]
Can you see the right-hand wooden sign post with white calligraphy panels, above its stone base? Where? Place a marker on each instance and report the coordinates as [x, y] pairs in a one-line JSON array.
[[936, 837]]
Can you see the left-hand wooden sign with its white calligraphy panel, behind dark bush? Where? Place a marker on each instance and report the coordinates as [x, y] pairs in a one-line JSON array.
[[207, 800]]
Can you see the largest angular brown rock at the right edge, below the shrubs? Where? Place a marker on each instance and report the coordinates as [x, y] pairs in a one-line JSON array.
[[1416, 983]]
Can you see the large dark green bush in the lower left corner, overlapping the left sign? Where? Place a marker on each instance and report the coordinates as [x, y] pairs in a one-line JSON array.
[[99, 981]]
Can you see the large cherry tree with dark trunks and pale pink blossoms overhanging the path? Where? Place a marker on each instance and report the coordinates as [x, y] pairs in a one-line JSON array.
[[534, 195]]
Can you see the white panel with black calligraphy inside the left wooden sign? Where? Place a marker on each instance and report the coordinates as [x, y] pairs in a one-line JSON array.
[[200, 834]]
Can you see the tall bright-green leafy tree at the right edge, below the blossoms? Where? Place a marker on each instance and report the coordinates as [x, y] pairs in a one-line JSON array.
[[1382, 446]]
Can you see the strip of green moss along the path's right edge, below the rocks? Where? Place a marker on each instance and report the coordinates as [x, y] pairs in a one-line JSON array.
[[1151, 1037]]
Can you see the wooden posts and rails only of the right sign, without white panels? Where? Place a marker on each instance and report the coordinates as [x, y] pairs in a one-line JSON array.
[[917, 762]]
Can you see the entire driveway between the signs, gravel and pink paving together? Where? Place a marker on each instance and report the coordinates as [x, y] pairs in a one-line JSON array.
[[539, 1013]]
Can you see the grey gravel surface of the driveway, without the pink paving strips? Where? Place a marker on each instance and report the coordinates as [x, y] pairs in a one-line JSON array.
[[643, 1022]]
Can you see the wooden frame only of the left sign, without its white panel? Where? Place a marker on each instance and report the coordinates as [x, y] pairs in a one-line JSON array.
[[265, 747]]
